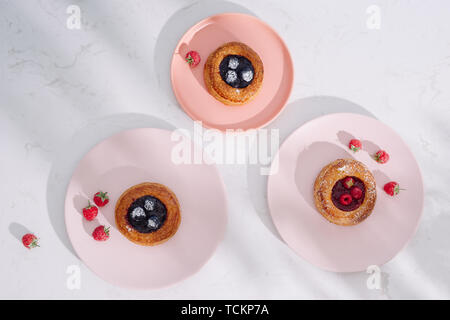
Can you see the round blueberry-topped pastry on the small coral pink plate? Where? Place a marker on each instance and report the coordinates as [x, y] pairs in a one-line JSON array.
[[233, 73]]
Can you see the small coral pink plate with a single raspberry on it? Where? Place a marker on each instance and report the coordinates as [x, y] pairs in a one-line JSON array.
[[205, 37]]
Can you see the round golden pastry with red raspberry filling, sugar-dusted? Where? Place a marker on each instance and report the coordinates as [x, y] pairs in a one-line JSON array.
[[345, 192]]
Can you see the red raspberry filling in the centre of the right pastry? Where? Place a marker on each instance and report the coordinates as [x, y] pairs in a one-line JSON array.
[[348, 199]]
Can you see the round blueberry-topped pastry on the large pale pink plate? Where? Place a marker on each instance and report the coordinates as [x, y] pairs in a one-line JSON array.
[[148, 214]]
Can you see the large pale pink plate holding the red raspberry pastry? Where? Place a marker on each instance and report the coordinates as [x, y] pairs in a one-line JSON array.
[[290, 194]]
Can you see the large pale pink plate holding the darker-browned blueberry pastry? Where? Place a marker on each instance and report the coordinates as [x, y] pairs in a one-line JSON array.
[[129, 158]]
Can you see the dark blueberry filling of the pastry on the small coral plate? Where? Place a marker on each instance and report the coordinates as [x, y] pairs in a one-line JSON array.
[[237, 71]]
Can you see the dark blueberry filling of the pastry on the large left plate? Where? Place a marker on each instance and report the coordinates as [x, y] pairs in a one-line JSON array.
[[147, 214]]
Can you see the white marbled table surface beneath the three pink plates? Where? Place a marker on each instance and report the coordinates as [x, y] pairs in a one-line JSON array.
[[62, 91]]
